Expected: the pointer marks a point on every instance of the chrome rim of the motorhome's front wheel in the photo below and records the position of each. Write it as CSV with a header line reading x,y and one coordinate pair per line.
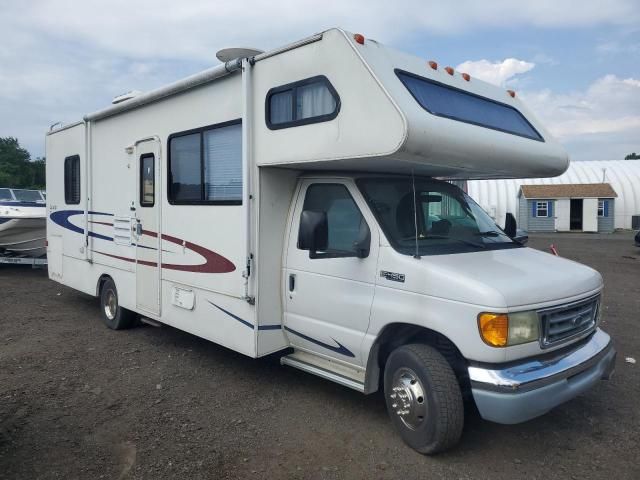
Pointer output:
x,y
408,399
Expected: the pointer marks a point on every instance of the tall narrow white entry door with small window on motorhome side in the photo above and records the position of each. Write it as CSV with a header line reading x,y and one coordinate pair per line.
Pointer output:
x,y
147,227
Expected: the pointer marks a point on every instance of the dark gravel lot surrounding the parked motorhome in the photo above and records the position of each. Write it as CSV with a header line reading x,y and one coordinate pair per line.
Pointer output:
x,y
81,401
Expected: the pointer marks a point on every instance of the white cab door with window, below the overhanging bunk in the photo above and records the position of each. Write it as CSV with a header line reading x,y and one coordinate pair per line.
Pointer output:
x,y
328,299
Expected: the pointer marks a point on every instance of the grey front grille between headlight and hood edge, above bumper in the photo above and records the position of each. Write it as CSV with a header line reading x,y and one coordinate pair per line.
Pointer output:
x,y
568,321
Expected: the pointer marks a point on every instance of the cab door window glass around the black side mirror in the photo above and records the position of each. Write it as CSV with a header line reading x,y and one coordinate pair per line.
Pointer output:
x,y
346,225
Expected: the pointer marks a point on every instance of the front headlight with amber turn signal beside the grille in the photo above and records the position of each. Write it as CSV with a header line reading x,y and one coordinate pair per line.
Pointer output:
x,y
503,330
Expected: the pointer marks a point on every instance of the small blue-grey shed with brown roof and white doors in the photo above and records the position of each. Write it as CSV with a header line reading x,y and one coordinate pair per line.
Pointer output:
x,y
586,207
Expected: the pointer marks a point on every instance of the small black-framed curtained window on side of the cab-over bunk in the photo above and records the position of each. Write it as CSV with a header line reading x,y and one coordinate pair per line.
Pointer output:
x,y
312,100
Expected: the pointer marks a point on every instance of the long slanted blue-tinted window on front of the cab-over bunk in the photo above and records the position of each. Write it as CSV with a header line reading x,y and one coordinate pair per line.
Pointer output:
x,y
450,102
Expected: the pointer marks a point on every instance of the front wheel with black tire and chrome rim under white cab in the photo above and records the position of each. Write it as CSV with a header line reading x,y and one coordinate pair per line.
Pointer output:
x,y
423,398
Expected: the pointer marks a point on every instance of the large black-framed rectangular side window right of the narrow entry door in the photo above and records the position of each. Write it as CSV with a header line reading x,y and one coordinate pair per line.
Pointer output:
x,y
205,166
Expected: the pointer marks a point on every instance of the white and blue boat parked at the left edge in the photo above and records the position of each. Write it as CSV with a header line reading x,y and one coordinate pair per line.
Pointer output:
x,y
22,222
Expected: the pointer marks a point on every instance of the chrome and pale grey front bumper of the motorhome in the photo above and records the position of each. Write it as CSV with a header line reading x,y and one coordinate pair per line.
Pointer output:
x,y
521,391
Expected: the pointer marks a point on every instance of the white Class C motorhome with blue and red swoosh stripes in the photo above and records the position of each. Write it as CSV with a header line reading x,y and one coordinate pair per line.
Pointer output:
x,y
287,202
